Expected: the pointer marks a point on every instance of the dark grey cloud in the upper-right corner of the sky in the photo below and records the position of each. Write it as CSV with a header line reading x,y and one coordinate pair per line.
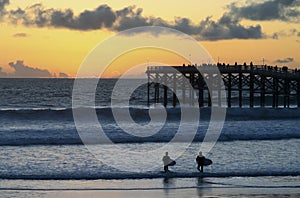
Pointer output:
x,y
283,10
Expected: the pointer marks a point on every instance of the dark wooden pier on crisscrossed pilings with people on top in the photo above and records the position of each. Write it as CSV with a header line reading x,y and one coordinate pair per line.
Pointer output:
x,y
244,85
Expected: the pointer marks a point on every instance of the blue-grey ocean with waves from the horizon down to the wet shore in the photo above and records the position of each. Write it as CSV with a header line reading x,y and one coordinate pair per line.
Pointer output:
x,y
43,155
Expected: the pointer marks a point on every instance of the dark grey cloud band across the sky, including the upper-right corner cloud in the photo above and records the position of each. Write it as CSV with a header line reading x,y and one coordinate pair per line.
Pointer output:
x,y
227,27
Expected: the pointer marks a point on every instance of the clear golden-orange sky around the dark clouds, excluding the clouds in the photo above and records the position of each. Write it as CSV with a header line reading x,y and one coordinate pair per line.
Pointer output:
x,y
62,49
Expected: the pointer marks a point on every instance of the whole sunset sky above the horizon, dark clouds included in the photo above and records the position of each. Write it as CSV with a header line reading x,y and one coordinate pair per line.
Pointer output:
x,y
52,37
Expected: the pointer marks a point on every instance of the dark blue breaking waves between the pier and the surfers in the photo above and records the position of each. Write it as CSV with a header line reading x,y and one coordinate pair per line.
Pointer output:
x,y
56,126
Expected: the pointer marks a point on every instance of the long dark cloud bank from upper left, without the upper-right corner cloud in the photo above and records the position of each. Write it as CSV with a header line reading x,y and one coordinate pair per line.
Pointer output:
x,y
104,16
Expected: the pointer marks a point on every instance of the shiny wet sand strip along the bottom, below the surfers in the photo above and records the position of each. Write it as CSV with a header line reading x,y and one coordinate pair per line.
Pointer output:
x,y
158,188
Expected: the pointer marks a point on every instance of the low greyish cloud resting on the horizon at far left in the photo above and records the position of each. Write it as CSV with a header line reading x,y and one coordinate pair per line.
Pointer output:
x,y
24,71
